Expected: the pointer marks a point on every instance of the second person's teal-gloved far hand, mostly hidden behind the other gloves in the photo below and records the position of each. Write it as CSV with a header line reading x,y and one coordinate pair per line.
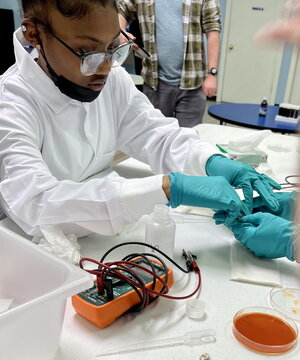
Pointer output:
x,y
286,200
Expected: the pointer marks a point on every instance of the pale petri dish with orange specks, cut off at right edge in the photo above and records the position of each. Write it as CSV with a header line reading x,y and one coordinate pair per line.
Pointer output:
x,y
286,300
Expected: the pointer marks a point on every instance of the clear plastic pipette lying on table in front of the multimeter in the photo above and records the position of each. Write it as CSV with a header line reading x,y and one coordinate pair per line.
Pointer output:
x,y
190,338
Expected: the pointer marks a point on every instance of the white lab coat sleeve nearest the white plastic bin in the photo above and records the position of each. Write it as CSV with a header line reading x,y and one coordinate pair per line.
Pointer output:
x,y
31,196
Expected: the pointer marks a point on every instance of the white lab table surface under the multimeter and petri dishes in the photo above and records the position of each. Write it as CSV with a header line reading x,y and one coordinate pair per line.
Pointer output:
x,y
164,318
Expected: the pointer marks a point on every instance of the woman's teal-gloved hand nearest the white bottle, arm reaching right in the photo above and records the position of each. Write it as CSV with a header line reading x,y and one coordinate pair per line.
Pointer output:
x,y
212,192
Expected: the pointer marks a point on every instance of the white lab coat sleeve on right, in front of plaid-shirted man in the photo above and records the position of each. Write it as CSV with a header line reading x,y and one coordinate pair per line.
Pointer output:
x,y
145,134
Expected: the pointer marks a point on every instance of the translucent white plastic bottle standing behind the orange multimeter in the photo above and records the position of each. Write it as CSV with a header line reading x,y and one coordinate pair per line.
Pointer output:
x,y
160,231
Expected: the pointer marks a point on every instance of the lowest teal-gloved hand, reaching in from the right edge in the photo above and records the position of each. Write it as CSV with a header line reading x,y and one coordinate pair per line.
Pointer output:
x,y
266,235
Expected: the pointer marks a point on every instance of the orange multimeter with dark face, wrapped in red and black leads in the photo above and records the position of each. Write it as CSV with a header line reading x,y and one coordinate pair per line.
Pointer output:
x,y
102,311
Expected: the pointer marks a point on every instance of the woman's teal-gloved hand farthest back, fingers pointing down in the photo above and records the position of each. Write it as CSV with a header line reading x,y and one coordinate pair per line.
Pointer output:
x,y
244,176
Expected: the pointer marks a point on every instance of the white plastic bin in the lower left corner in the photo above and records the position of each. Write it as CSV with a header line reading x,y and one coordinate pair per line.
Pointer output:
x,y
39,284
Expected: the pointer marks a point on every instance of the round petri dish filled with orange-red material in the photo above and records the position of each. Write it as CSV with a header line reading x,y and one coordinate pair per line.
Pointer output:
x,y
265,330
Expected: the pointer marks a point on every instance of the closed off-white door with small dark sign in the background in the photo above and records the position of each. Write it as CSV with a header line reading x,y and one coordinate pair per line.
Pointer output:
x,y
248,72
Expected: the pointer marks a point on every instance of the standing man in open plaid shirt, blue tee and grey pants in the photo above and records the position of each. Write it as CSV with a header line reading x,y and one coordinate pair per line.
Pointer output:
x,y
177,77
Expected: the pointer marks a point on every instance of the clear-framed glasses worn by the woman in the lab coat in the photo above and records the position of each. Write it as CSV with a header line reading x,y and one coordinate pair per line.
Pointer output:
x,y
92,60
